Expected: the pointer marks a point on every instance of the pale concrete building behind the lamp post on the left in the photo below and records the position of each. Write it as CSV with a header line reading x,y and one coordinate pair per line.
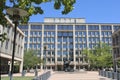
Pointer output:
x,y
6,48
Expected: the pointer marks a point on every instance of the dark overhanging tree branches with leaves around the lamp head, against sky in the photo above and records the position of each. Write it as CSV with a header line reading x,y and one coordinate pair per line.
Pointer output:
x,y
33,7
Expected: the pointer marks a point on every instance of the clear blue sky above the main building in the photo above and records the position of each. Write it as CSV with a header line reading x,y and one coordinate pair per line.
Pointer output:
x,y
94,11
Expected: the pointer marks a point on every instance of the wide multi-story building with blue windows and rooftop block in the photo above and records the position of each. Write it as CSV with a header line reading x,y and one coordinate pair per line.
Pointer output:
x,y
65,39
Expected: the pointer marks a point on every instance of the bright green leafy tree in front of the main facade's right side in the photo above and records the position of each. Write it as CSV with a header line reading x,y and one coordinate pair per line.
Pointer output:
x,y
100,56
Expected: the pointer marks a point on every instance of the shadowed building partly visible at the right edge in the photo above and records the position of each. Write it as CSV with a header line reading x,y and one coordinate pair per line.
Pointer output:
x,y
116,47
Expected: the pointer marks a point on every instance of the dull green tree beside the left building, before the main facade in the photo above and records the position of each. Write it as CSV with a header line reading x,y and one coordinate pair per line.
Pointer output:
x,y
31,59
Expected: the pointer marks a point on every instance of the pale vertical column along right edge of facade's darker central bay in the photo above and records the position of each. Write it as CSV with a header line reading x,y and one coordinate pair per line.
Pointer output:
x,y
74,51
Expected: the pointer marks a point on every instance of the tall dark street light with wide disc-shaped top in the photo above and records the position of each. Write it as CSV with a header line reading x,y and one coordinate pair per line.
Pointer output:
x,y
16,13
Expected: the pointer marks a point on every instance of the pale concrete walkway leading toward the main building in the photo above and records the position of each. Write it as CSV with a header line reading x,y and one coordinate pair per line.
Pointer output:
x,y
88,75
